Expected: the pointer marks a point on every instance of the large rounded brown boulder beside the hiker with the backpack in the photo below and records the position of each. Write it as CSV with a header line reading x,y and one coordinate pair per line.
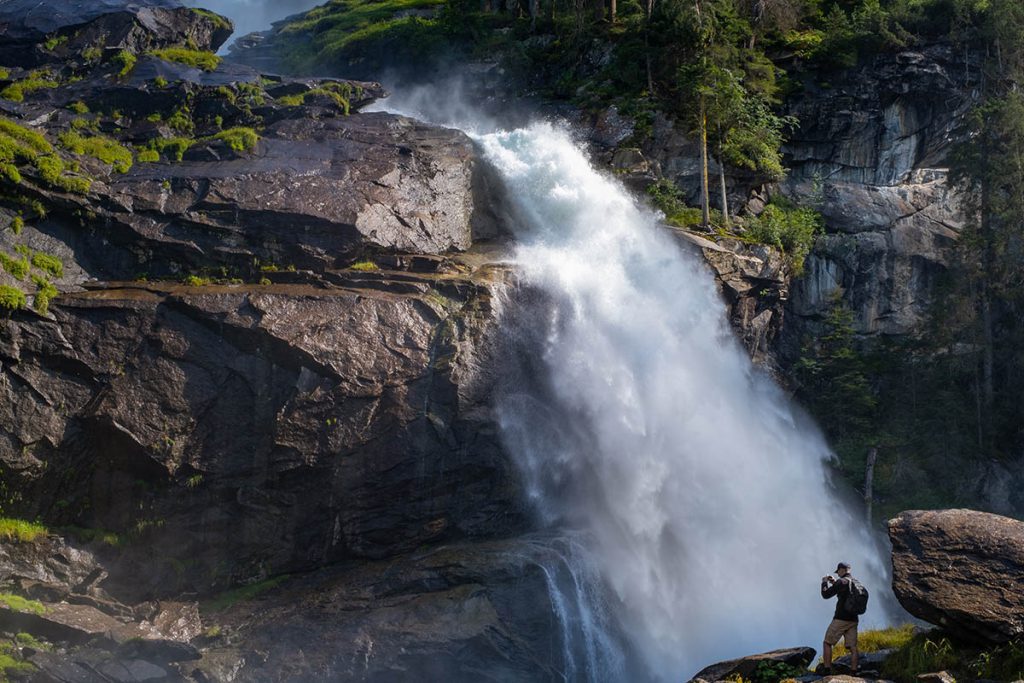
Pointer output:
x,y
961,571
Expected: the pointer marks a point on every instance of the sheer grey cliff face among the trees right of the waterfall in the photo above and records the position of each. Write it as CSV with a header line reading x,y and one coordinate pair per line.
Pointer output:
x,y
875,146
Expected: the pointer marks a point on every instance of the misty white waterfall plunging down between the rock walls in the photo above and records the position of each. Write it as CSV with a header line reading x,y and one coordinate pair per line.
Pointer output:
x,y
637,418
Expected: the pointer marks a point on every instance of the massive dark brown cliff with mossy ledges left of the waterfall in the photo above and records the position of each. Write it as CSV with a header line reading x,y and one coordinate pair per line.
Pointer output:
x,y
269,353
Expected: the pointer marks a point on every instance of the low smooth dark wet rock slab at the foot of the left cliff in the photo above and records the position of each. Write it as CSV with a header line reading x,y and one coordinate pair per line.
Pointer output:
x,y
453,613
